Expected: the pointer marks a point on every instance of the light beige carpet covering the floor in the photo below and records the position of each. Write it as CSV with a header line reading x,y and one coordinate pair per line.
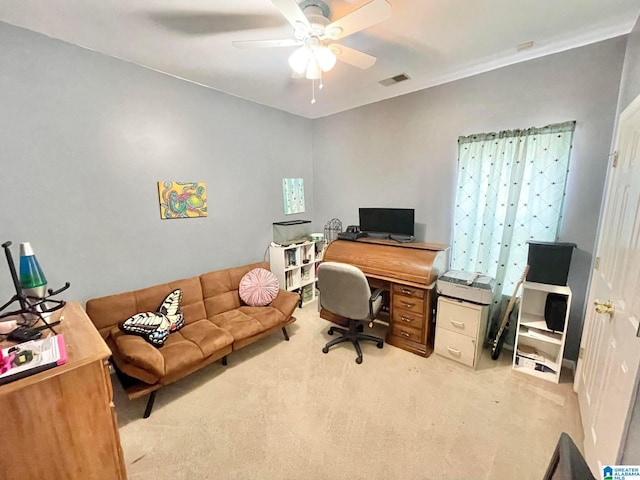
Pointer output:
x,y
285,410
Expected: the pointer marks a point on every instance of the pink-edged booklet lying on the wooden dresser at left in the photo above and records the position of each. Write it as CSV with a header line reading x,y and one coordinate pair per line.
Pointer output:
x,y
29,358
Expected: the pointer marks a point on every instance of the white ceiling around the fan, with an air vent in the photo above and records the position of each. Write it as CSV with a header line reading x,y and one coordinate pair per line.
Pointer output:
x,y
432,41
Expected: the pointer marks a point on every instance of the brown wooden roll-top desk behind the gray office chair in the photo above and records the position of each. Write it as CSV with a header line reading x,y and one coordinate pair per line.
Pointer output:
x,y
408,271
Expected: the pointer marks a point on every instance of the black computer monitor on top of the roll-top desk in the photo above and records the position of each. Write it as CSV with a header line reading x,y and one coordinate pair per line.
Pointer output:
x,y
388,222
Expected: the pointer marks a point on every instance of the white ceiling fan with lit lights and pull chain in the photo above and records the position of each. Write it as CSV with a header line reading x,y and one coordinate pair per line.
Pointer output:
x,y
314,34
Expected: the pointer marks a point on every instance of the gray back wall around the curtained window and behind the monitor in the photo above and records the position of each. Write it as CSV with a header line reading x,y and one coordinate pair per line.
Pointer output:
x,y
402,152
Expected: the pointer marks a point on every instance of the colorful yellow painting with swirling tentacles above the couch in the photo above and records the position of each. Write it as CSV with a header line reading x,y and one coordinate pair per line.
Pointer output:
x,y
182,199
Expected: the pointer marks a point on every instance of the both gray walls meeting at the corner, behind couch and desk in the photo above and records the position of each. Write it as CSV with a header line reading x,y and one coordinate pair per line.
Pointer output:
x,y
86,137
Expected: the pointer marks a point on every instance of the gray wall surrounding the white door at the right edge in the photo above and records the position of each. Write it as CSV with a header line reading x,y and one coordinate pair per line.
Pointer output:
x,y
629,90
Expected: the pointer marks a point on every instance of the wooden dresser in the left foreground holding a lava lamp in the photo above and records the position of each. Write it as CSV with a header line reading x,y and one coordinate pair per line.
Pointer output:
x,y
60,423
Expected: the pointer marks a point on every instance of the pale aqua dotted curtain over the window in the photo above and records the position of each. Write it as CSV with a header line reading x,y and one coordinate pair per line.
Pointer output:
x,y
511,188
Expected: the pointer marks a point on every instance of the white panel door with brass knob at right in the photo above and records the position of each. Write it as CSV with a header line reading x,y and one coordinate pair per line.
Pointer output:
x,y
607,373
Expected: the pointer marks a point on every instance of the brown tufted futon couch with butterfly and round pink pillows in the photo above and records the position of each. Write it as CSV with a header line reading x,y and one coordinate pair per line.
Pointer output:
x,y
216,322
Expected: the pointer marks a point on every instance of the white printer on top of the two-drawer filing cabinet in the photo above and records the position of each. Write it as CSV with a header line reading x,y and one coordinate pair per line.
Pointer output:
x,y
471,286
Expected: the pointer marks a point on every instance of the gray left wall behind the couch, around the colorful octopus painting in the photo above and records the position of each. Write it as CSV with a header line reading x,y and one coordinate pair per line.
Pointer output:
x,y
85,138
